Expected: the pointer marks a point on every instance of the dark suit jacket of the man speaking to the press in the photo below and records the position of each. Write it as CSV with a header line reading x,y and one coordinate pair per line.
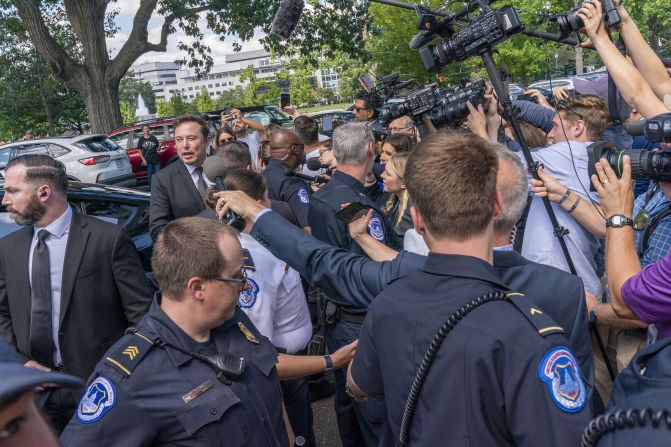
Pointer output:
x,y
173,195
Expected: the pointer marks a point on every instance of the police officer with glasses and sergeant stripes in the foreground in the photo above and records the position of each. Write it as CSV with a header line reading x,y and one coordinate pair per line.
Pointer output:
x,y
159,385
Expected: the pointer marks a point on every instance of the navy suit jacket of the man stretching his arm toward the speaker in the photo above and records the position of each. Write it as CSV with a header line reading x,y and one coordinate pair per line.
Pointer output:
x,y
359,279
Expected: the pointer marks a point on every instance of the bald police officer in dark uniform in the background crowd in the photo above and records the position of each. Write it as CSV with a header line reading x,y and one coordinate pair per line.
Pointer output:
x,y
286,152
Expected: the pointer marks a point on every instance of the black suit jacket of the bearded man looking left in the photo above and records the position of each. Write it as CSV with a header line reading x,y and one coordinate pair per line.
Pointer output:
x,y
104,290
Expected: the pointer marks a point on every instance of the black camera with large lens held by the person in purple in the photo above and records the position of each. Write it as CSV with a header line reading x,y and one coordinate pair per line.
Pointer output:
x,y
645,164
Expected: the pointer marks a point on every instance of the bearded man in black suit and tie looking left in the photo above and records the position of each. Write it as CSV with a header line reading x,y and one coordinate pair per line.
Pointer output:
x,y
69,284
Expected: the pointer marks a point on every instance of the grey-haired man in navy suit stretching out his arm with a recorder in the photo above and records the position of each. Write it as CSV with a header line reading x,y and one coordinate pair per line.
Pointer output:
x,y
556,292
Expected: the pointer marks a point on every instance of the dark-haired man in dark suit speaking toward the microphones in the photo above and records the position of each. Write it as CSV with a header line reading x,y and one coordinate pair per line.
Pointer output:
x,y
180,189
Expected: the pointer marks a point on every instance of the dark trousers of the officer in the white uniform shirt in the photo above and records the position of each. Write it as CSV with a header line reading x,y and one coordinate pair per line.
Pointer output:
x,y
296,394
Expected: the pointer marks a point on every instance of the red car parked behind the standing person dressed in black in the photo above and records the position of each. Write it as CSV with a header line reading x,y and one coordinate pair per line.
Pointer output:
x,y
128,136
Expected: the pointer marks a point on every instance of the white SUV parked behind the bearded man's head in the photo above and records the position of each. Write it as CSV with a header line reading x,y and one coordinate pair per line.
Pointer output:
x,y
87,158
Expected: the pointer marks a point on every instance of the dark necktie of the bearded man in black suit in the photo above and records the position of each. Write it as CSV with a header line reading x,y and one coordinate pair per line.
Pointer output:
x,y
41,344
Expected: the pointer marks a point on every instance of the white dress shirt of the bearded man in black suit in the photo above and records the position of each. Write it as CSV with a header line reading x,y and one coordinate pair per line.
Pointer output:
x,y
57,241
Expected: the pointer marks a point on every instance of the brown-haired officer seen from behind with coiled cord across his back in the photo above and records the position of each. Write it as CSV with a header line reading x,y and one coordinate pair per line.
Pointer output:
x,y
502,375
